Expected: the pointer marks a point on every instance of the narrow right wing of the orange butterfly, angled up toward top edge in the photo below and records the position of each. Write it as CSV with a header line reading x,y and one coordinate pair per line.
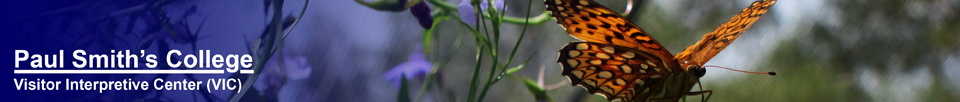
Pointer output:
x,y
713,42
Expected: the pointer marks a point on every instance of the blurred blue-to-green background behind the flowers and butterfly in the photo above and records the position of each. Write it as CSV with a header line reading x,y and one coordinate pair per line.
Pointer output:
x,y
343,51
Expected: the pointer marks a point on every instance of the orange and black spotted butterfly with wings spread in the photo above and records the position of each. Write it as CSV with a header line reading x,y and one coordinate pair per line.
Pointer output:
x,y
622,62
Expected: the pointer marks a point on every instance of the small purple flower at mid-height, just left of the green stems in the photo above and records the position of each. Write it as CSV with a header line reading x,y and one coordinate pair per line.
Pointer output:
x,y
415,65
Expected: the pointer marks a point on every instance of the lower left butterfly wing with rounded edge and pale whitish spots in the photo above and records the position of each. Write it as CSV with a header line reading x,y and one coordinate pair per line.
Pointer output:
x,y
614,71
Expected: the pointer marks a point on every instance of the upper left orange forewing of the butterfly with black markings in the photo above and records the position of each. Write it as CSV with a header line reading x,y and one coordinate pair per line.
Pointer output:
x,y
592,22
